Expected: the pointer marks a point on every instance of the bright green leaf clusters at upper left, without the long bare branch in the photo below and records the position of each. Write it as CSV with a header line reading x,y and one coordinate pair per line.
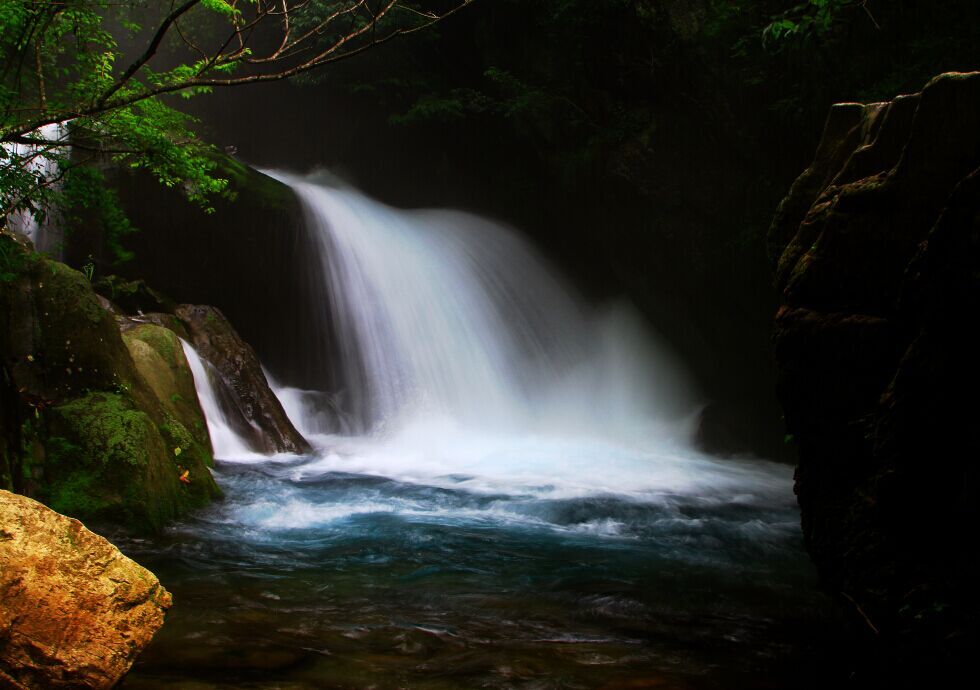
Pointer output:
x,y
59,66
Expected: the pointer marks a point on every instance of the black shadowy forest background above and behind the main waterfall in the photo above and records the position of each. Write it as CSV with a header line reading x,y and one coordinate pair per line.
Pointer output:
x,y
642,144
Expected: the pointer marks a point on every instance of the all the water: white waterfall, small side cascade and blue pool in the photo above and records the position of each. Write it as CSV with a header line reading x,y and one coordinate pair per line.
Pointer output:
x,y
503,493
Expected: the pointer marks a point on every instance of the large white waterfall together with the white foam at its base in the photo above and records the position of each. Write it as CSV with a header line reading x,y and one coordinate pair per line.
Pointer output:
x,y
470,365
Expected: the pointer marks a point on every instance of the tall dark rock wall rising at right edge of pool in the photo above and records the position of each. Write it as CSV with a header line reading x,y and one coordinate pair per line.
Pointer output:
x,y
877,253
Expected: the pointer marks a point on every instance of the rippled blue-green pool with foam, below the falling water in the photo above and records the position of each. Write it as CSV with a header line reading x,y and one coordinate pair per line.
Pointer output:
x,y
312,576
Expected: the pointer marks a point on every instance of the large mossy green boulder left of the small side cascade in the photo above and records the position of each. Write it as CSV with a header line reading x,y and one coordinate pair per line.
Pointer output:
x,y
95,425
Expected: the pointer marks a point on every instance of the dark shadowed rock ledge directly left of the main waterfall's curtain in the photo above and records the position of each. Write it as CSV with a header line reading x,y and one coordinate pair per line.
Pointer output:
x,y
234,258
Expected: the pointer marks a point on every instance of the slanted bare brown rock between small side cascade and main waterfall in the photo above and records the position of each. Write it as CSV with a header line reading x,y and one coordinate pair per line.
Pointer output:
x,y
245,393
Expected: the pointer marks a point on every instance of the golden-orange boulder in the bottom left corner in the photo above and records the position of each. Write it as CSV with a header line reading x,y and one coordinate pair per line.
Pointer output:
x,y
74,612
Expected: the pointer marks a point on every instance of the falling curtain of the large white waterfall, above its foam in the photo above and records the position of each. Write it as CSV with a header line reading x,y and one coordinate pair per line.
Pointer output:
x,y
443,314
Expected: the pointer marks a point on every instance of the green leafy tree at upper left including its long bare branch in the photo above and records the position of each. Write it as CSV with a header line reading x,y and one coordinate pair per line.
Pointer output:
x,y
68,107
